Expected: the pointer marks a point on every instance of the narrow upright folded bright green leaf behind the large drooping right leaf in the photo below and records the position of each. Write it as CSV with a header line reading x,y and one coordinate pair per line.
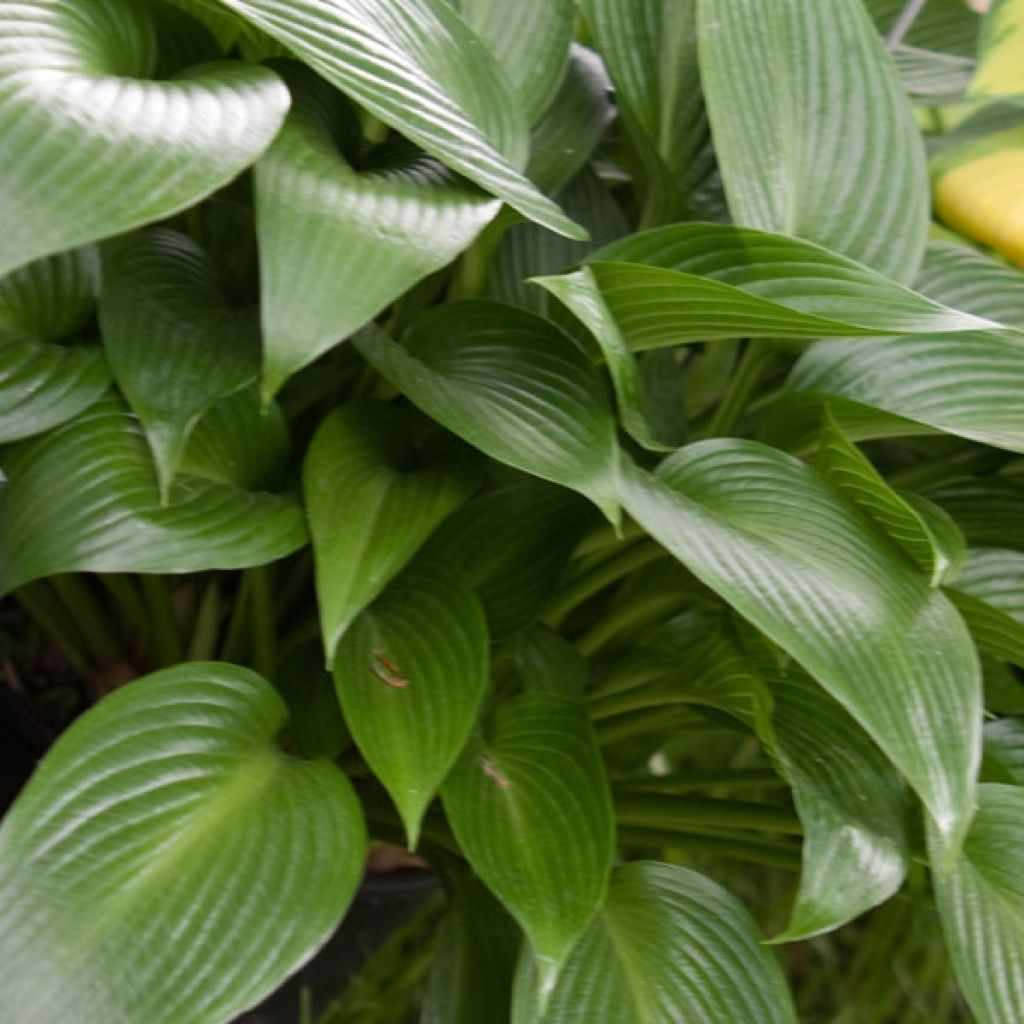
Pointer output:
x,y
843,463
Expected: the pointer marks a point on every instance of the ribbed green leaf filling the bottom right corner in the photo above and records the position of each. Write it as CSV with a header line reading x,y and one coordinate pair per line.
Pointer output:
x,y
982,903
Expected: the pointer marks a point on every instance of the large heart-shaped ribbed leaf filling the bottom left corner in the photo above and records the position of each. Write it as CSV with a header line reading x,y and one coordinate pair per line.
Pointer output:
x,y
198,866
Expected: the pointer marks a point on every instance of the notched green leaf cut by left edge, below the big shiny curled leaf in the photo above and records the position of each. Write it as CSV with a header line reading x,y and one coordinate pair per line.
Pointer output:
x,y
44,385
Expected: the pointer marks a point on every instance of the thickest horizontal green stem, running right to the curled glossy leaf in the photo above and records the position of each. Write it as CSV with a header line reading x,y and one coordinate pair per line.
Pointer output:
x,y
656,810
